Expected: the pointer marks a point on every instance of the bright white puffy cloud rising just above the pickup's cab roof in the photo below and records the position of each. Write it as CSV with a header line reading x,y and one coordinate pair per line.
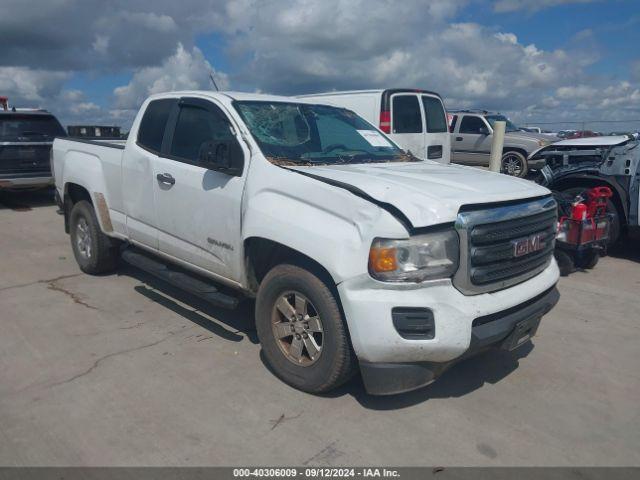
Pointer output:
x,y
184,70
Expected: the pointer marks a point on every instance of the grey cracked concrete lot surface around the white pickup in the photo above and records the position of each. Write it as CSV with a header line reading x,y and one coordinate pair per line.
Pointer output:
x,y
123,370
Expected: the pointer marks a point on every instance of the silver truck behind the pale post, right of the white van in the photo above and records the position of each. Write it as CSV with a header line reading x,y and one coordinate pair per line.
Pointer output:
x,y
472,133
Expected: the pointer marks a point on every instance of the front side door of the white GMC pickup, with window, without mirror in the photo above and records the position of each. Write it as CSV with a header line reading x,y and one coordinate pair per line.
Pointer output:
x,y
198,210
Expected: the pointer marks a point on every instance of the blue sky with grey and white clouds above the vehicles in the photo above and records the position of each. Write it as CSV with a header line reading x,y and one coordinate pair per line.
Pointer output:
x,y
94,62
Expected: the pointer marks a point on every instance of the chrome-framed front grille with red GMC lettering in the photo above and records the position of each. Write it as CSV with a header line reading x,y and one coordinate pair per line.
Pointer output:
x,y
505,245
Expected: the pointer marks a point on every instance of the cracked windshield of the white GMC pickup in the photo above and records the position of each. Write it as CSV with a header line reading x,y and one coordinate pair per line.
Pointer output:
x,y
301,134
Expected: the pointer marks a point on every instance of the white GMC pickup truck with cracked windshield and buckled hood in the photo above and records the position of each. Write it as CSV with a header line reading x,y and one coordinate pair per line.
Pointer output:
x,y
360,256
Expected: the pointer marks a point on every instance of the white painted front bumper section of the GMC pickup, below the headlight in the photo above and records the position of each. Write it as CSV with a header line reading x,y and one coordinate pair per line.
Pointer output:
x,y
368,306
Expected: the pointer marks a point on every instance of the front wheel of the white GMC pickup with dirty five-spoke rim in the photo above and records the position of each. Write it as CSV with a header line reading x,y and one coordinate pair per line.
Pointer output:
x,y
301,330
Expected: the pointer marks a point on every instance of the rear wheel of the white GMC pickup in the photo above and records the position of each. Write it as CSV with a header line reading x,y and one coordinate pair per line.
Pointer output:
x,y
94,251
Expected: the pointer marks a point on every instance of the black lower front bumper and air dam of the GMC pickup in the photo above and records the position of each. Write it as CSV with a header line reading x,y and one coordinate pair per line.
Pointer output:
x,y
508,330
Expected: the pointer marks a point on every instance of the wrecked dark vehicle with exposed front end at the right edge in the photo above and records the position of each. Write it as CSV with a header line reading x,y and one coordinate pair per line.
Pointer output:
x,y
573,166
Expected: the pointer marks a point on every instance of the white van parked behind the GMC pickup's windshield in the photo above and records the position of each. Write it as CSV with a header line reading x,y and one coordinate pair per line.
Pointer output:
x,y
415,119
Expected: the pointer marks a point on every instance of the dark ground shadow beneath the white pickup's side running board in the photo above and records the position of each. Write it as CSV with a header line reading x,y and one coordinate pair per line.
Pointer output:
x,y
231,325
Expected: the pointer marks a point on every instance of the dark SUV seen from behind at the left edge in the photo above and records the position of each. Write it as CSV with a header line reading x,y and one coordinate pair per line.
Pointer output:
x,y
26,137
